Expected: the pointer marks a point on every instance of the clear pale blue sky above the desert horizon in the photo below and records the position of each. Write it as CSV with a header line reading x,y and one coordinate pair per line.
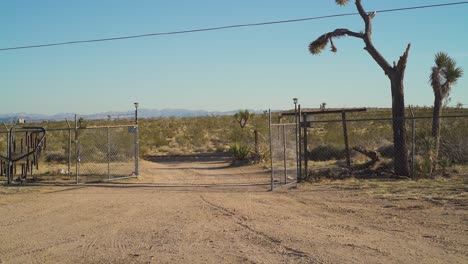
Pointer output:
x,y
255,68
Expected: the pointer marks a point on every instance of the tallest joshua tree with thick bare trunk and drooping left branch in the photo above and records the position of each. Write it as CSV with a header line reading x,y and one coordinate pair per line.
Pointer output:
x,y
395,74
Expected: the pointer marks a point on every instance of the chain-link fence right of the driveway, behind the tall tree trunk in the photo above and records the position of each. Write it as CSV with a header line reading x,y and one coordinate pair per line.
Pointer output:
x,y
370,151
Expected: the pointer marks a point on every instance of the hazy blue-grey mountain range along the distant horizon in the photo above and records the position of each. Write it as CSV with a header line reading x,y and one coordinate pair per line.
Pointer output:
x,y
142,113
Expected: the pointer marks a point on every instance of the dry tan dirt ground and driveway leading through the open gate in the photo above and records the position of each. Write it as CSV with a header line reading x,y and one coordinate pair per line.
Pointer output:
x,y
161,218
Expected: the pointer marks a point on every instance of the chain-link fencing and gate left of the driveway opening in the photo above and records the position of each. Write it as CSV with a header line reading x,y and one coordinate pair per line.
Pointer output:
x,y
80,155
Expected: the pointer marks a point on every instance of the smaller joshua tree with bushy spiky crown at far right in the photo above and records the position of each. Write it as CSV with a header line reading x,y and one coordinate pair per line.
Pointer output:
x,y
444,74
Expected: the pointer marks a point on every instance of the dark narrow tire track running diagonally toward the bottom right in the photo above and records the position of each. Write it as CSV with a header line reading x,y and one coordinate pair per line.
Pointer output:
x,y
286,250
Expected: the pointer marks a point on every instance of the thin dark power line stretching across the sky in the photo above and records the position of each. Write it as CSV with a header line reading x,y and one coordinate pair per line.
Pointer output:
x,y
226,27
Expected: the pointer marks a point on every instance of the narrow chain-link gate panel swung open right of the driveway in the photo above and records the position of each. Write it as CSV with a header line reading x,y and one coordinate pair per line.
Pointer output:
x,y
284,154
